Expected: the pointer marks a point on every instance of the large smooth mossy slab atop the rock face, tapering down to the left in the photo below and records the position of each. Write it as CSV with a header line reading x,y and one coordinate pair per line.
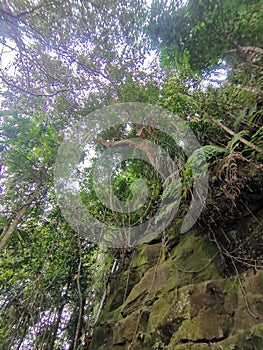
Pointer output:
x,y
194,259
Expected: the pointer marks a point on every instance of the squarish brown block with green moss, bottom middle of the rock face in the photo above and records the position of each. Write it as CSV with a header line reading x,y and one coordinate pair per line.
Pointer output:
x,y
202,314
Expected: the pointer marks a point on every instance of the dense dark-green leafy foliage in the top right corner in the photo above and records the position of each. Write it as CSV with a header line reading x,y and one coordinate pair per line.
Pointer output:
x,y
208,31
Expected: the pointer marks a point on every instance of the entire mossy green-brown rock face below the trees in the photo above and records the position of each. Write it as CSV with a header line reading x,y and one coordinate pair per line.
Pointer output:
x,y
173,295
